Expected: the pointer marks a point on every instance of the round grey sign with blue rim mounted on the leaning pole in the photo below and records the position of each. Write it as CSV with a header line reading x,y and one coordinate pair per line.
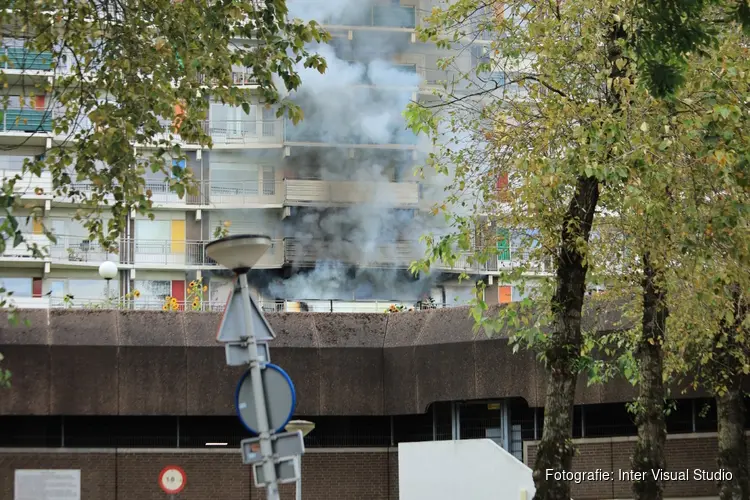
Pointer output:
x,y
281,399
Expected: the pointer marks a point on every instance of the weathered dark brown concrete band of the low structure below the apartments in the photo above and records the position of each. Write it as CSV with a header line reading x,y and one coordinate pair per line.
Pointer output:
x,y
79,362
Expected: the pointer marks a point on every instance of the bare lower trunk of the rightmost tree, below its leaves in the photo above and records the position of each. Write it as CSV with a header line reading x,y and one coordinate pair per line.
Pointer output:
x,y
732,448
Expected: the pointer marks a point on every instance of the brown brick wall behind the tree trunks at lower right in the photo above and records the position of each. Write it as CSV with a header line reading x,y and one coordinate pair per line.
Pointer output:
x,y
683,451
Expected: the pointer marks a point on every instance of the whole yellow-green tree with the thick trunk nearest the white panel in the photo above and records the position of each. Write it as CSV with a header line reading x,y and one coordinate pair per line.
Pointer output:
x,y
551,109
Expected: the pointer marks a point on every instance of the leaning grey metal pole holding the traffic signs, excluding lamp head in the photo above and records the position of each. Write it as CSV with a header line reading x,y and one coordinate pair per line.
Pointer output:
x,y
269,468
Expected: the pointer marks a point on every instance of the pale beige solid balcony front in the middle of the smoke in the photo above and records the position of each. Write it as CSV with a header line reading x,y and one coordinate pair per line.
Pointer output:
x,y
318,192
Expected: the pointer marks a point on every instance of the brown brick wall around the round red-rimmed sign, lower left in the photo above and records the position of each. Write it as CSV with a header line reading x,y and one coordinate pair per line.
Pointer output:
x,y
211,475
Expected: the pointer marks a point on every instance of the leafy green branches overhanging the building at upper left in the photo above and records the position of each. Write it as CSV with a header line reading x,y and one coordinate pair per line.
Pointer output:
x,y
141,74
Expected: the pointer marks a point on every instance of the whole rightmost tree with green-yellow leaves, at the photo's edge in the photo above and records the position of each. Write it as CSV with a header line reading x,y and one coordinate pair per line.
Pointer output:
x,y
712,310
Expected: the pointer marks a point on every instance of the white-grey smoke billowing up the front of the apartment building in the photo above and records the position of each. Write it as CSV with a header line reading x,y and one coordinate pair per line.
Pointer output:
x,y
360,99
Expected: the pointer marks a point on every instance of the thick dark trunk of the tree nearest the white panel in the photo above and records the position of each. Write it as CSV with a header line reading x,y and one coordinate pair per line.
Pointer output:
x,y
555,451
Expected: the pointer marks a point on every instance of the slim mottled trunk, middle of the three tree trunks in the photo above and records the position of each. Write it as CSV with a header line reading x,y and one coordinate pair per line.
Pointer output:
x,y
652,428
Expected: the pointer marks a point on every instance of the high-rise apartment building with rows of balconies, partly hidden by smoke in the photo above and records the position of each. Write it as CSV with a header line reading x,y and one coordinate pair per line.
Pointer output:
x,y
336,193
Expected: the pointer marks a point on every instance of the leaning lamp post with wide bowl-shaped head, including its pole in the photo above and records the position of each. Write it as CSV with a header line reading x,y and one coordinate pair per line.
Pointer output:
x,y
240,253
